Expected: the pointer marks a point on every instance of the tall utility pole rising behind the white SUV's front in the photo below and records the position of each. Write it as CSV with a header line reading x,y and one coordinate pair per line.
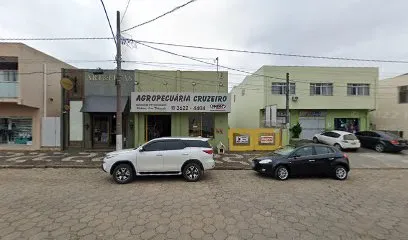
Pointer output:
x,y
119,144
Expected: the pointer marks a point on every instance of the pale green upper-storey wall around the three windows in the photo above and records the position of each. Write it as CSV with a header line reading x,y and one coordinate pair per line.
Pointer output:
x,y
339,76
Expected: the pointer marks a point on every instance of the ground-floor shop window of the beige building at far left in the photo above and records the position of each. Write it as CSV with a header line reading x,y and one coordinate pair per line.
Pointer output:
x,y
16,130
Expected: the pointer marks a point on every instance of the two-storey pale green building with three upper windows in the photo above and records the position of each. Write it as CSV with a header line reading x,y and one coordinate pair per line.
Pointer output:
x,y
321,98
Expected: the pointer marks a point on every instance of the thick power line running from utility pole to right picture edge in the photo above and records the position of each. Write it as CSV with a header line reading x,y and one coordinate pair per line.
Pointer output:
x,y
272,53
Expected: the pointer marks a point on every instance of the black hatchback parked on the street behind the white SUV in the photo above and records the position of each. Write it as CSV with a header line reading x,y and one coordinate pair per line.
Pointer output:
x,y
310,159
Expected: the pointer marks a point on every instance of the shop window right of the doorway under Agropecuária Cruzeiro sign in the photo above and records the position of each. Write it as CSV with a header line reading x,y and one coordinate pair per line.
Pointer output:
x,y
201,125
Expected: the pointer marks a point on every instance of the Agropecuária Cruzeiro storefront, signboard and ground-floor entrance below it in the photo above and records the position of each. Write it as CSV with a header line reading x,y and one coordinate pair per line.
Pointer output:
x,y
162,114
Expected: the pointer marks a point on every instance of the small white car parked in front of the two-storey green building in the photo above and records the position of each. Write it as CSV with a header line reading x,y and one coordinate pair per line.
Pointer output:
x,y
339,139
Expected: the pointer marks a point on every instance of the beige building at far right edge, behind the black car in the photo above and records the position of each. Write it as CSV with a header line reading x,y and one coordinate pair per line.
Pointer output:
x,y
392,106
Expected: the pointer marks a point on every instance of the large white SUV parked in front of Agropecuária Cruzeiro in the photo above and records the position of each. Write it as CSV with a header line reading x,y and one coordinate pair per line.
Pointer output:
x,y
162,156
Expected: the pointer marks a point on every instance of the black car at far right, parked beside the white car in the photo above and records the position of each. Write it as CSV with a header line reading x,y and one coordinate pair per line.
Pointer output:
x,y
382,141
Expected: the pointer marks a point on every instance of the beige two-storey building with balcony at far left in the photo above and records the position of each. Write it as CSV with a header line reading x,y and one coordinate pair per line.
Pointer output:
x,y
29,98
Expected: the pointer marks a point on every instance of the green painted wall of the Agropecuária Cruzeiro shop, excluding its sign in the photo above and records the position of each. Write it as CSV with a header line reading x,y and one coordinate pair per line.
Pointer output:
x,y
181,81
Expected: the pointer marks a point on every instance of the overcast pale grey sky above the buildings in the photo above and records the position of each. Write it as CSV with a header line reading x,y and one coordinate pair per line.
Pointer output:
x,y
372,29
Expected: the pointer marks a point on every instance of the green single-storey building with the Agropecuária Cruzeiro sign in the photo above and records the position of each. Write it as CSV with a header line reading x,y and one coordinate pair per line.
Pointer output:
x,y
180,103
